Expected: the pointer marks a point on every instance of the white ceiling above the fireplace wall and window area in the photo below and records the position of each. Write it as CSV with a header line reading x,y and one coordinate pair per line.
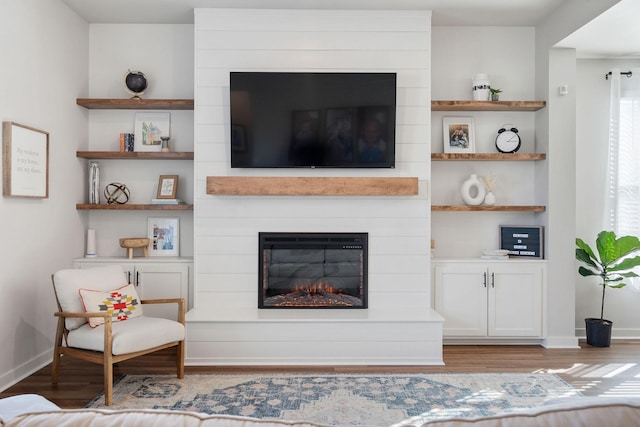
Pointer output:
x,y
606,36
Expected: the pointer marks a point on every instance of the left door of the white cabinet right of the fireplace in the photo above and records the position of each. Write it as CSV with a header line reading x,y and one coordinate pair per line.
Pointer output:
x,y
461,298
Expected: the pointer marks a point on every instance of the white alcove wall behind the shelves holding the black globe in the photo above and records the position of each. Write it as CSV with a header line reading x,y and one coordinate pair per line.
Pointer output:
x,y
164,53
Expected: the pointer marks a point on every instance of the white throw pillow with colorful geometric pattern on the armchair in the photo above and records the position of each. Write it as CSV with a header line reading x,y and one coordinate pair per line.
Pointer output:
x,y
122,303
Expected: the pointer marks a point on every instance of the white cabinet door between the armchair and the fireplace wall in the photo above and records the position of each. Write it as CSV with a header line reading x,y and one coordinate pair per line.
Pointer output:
x,y
157,281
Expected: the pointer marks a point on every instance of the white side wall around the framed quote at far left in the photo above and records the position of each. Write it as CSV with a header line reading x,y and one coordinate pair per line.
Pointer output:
x,y
44,51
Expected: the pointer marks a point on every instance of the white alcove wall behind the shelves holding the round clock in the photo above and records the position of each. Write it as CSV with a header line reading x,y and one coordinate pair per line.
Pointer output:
x,y
457,54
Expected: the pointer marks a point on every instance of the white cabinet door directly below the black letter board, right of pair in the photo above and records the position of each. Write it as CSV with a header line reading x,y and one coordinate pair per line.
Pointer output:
x,y
515,300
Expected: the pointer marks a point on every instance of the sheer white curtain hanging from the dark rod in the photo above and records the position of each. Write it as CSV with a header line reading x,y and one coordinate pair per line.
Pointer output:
x,y
623,175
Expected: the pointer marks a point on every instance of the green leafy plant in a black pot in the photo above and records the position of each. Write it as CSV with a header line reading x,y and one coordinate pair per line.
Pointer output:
x,y
614,263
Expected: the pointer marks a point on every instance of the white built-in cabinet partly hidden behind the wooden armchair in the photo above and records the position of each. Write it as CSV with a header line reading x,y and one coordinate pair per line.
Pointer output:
x,y
153,278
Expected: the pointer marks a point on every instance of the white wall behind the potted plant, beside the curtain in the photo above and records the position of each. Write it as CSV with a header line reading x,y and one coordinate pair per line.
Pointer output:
x,y
592,135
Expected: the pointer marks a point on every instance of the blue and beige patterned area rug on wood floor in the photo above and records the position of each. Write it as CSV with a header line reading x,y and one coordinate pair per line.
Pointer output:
x,y
355,400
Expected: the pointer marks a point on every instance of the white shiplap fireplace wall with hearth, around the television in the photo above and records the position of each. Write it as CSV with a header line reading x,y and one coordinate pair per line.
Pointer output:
x,y
225,327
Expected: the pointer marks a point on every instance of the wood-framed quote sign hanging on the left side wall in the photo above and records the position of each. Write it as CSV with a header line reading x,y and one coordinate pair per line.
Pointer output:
x,y
25,161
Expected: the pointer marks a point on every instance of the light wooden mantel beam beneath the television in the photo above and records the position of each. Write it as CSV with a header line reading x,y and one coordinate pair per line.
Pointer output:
x,y
311,186
